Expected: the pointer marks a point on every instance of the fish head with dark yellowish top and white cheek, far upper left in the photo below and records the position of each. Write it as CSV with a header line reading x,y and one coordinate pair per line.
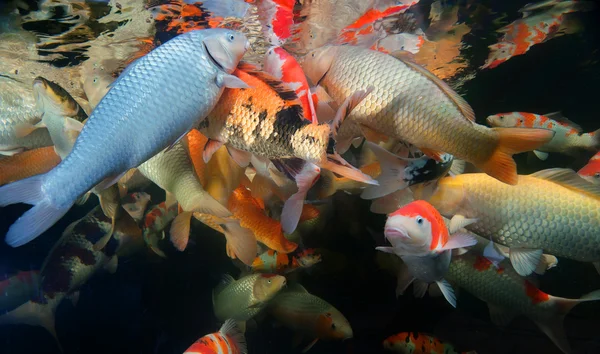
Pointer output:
x,y
52,98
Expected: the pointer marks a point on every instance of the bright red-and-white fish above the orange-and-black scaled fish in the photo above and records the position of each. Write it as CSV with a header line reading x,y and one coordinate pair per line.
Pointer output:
x,y
283,66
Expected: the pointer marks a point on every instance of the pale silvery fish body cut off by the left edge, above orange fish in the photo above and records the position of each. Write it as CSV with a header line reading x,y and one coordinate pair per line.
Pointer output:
x,y
17,108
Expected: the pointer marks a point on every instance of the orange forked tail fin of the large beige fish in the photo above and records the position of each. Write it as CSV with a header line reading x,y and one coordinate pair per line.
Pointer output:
x,y
500,164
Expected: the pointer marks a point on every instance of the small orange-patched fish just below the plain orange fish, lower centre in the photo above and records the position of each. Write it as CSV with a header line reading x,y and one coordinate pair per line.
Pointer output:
x,y
281,263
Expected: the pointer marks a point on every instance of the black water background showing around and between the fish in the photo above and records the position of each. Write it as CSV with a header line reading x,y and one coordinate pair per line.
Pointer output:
x,y
161,306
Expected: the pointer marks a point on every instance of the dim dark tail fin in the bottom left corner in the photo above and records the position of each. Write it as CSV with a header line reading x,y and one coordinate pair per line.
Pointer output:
x,y
33,314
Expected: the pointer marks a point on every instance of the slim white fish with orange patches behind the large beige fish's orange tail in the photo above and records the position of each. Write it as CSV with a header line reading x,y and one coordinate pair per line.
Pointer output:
x,y
568,137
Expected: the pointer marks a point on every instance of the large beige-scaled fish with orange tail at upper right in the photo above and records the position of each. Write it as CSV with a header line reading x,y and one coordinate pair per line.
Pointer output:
x,y
411,104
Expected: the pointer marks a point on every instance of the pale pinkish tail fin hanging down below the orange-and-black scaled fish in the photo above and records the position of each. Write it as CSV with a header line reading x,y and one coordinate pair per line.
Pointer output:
x,y
292,209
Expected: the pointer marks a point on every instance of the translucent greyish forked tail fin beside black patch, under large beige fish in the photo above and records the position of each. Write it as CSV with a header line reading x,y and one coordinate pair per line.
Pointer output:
x,y
391,178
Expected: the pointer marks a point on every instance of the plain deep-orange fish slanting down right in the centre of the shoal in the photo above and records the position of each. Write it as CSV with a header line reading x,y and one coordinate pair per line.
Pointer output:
x,y
251,216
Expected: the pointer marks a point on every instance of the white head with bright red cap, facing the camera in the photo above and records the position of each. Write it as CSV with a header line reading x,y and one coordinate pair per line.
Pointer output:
x,y
416,228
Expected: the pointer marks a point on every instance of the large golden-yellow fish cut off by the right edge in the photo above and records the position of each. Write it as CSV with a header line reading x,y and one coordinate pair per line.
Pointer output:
x,y
553,211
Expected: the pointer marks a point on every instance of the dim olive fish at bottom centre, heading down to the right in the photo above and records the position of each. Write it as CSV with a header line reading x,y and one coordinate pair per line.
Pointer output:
x,y
309,316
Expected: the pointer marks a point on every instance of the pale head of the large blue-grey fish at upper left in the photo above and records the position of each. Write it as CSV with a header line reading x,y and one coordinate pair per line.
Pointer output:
x,y
225,47
